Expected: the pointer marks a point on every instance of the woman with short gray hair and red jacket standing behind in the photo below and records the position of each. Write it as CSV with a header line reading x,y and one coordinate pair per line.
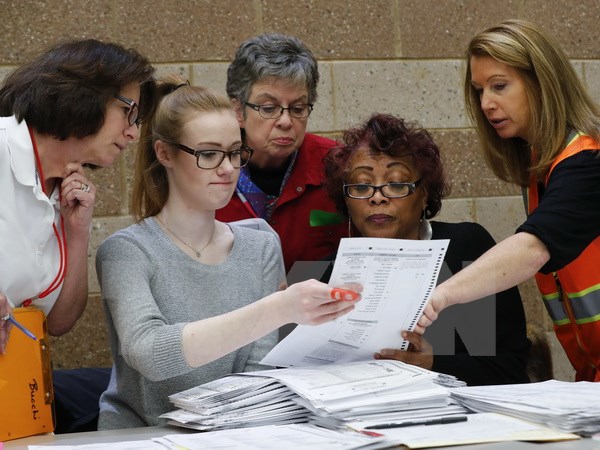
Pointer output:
x,y
273,84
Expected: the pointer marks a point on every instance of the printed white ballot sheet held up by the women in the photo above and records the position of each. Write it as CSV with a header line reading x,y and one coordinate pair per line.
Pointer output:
x,y
398,277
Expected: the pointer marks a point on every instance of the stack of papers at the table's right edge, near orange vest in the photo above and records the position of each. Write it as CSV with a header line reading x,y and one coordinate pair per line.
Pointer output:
x,y
565,406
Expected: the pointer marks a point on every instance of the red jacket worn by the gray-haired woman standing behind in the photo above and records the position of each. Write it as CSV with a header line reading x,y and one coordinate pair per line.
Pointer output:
x,y
302,193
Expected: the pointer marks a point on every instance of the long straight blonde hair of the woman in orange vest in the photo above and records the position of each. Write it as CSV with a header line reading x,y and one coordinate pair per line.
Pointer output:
x,y
558,101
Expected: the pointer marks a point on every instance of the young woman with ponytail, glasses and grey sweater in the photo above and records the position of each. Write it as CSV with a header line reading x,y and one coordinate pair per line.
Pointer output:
x,y
190,299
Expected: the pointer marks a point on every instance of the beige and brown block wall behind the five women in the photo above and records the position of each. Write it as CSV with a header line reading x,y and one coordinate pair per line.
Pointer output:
x,y
398,56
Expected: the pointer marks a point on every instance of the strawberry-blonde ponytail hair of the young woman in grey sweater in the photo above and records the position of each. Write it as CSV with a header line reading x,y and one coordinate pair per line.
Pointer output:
x,y
177,99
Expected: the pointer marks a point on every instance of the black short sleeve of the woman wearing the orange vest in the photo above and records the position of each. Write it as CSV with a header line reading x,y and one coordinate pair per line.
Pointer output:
x,y
568,215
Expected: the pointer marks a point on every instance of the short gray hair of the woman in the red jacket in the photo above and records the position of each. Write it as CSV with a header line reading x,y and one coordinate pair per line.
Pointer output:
x,y
272,55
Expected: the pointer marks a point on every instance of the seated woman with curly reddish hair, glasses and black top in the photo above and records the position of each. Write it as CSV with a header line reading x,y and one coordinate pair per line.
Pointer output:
x,y
388,179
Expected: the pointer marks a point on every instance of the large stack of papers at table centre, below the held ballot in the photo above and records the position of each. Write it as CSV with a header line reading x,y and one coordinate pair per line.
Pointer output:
x,y
374,391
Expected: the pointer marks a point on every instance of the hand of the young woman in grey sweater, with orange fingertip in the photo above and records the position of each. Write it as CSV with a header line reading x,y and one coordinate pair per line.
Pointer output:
x,y
312,302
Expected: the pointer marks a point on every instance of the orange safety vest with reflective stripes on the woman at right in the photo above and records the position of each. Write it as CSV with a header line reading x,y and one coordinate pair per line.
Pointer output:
x,y
572,294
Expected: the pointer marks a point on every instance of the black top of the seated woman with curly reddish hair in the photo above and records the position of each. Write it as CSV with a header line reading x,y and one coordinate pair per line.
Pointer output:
x,y
493,326
